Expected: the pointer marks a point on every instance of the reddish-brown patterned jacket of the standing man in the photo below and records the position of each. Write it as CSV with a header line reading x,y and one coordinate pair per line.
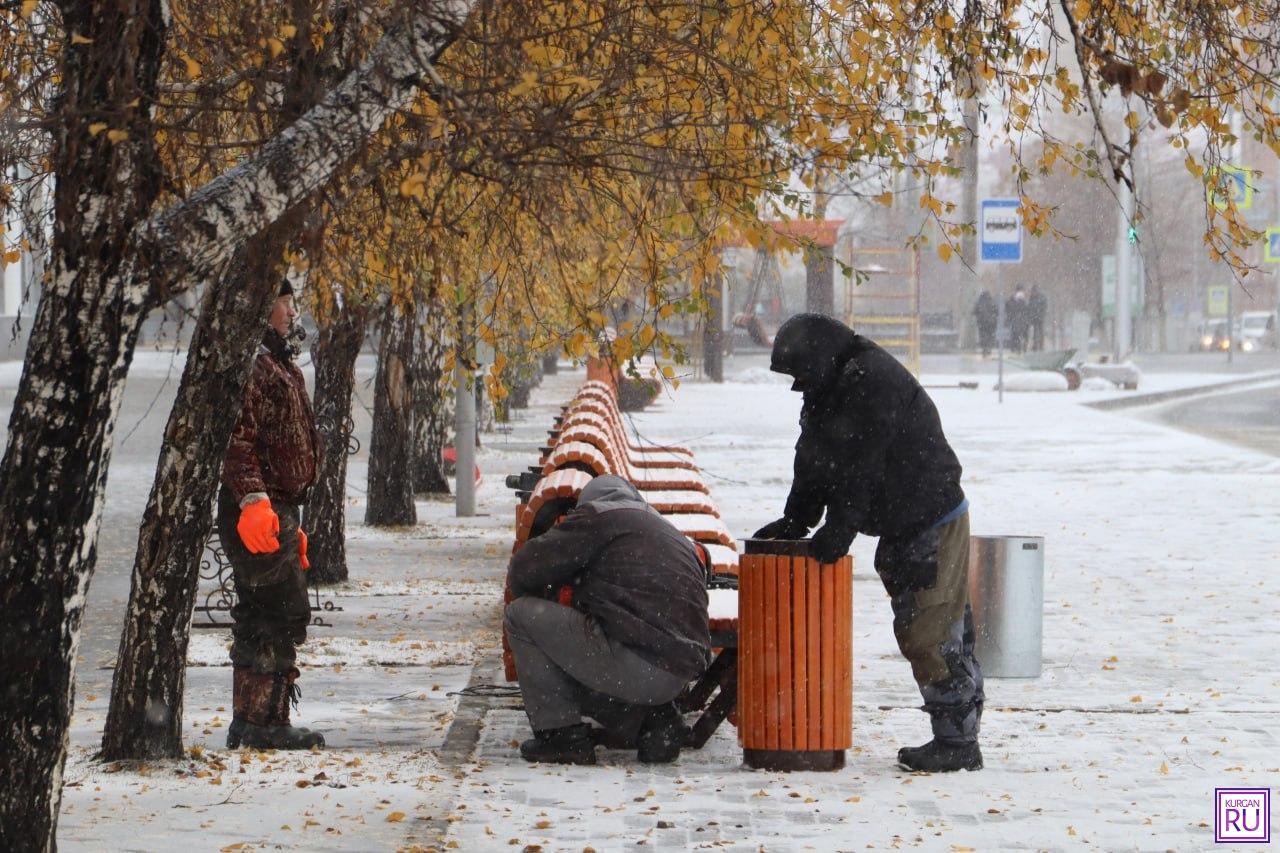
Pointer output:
x,y
276,446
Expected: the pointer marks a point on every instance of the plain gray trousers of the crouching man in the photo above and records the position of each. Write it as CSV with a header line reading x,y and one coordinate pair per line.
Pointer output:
x,y
563,659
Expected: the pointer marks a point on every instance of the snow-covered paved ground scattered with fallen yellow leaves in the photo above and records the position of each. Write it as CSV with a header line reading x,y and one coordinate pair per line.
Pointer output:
x,y
1162,667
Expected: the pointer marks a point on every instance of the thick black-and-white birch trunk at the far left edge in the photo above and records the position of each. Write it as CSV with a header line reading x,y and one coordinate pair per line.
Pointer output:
x,y
54,471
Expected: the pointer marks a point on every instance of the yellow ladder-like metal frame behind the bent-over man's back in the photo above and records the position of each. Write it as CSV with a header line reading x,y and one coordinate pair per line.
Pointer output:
x,y
883,300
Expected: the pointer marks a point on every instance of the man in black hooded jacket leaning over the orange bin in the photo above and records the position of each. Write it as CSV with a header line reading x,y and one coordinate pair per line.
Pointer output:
x,y
874,458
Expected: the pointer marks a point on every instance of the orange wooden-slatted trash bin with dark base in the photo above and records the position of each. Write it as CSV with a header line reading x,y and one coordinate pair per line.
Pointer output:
x,y
796,658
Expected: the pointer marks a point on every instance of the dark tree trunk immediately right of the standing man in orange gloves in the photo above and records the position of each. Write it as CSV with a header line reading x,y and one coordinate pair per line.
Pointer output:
x,y
326,519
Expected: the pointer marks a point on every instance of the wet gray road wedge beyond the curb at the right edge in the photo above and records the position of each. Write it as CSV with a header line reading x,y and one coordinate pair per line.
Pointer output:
x,y
1247,418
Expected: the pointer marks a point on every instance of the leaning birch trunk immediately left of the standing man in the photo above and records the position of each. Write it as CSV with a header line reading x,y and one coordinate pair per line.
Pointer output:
x,y
145,717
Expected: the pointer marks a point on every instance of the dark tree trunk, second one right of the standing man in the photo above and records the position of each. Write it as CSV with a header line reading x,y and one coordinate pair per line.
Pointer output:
x,y
391,448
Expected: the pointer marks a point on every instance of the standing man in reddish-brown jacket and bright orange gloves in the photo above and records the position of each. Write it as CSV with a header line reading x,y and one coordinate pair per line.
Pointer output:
x,y
269,467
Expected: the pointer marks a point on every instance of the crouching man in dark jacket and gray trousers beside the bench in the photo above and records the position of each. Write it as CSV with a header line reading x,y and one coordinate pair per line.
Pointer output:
x,y
636,635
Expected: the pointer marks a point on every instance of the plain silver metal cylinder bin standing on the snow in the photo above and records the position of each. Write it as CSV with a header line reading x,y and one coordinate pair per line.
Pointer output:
x,y
1007,591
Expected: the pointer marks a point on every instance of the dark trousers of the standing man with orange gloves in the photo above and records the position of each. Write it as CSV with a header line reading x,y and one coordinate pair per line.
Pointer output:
x,y
272,609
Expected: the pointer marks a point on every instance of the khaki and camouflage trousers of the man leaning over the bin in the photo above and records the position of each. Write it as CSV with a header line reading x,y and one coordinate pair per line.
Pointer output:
x,y
927,578
